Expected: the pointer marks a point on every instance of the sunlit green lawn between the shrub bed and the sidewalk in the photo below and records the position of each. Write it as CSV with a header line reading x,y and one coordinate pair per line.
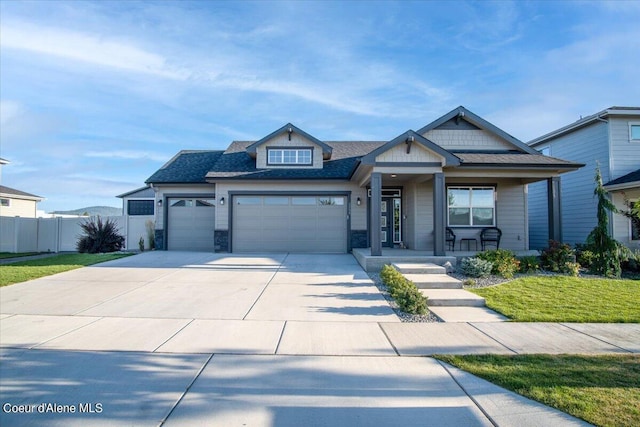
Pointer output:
x,y
566,299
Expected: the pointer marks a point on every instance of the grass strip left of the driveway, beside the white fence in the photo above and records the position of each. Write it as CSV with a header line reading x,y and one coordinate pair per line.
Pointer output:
x,y
27,270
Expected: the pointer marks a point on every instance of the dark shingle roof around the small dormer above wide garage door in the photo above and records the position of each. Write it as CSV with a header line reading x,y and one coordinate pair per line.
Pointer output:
x,y
236,163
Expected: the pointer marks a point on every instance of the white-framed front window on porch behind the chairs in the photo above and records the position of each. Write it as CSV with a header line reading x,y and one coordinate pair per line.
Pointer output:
x,y
471,206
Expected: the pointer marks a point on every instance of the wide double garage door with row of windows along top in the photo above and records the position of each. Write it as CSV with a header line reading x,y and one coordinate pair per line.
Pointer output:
x,y
289,224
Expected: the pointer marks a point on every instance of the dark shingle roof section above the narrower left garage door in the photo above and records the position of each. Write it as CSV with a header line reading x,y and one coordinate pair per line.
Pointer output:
x,y
187,166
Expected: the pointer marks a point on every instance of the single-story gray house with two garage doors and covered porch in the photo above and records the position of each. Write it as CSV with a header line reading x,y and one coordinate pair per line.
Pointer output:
x,y
291,192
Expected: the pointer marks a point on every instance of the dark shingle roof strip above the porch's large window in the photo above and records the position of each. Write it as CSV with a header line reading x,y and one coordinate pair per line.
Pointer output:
x,y
513,159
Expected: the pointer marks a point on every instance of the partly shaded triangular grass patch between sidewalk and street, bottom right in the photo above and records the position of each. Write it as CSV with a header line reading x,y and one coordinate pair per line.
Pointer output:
x,y
602,390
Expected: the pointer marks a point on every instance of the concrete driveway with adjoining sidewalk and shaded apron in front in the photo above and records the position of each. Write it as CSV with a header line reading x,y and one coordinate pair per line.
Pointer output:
x,y
169,338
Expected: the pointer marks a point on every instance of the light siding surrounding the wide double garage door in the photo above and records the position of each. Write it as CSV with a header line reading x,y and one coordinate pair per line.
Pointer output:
x,y
358,213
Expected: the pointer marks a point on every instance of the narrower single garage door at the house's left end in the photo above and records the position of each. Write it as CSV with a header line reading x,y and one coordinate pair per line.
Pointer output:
x,y
191,224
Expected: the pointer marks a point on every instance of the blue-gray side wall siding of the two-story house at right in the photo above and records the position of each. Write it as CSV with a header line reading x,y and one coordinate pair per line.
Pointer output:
x,y
587,145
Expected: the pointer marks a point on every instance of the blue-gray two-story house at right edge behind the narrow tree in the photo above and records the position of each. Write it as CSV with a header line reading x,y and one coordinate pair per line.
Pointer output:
x,y
610,138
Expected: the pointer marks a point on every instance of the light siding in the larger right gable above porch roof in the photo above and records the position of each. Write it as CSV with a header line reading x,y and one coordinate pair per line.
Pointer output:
x,y
476,139
